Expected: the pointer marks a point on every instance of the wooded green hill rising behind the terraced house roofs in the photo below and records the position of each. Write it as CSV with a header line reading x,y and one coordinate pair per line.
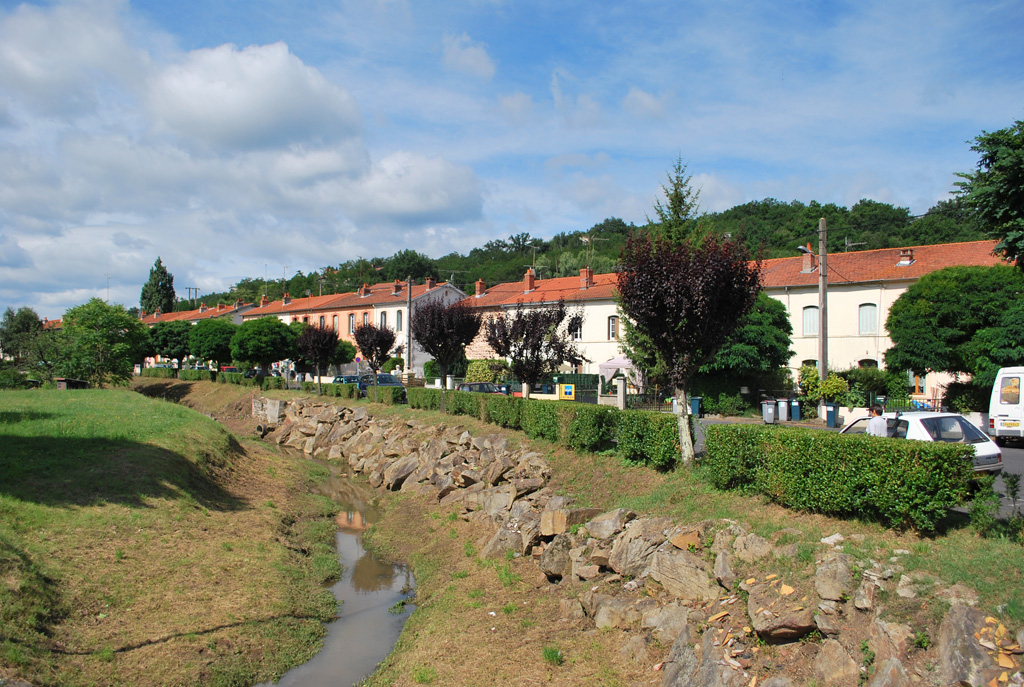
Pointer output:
x,y
772,229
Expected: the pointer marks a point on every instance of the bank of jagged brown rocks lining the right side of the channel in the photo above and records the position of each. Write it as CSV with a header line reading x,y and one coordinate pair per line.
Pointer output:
x,y
670,586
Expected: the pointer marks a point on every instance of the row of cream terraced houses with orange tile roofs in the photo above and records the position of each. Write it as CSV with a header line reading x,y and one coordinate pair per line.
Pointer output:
x,y
863,286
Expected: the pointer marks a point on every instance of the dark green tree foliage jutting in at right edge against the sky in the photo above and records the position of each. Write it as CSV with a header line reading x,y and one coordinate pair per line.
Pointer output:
x,y
994,191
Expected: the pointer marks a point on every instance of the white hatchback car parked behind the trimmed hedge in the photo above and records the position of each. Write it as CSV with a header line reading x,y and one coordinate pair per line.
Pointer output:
x,y
949,427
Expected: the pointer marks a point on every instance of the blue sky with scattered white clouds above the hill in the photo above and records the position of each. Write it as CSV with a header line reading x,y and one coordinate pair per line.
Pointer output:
x,y
236,139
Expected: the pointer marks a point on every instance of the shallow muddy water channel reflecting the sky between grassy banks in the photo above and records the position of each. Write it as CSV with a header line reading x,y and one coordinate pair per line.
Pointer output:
x,y
366,630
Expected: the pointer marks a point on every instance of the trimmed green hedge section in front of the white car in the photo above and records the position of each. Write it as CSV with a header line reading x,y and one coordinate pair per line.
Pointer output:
x,y
901,483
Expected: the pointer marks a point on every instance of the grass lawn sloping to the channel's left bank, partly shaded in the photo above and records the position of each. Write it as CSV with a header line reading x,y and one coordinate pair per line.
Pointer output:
x,y
142,544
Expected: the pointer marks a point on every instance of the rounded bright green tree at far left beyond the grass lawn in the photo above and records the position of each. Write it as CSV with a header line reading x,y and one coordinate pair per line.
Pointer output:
x,y
101,343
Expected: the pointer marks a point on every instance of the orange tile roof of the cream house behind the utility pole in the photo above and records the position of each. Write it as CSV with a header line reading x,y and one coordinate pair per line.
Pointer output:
x,y
879,266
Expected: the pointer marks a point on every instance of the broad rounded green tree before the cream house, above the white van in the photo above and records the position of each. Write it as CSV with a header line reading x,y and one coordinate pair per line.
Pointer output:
x,y
932,325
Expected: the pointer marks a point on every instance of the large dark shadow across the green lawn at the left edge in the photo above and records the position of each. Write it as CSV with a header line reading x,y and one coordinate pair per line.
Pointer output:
x,y
64,473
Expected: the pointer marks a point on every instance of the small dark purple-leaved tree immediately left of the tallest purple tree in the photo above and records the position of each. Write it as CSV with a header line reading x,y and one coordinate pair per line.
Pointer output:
x,y
536,340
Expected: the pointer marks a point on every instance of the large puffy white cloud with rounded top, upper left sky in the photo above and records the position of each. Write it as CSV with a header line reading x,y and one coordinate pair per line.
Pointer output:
x,y
258,98
